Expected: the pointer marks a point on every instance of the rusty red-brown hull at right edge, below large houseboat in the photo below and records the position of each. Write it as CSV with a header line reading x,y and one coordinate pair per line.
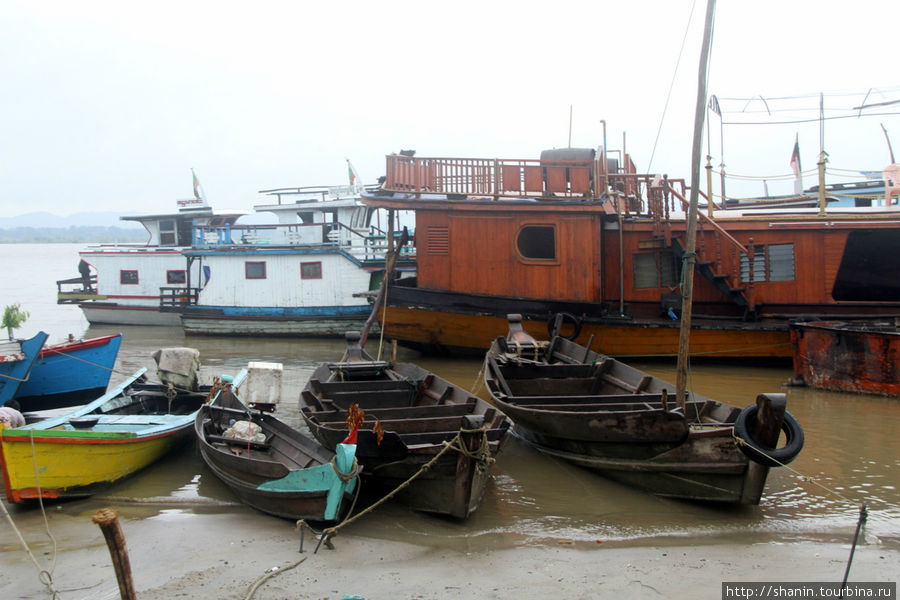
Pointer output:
x,y
848,356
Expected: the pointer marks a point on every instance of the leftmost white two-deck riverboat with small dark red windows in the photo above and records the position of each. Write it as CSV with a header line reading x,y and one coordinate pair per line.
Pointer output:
x,y
121,283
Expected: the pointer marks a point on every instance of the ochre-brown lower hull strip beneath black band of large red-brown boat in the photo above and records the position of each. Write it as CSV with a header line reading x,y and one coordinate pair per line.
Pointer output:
x,y
449,332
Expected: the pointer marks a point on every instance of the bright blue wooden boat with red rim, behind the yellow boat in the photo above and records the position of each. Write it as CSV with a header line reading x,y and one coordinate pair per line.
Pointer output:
x,y
70,373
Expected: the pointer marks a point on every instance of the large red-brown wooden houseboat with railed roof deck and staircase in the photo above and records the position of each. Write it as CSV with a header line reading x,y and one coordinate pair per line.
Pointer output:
x,y
590,238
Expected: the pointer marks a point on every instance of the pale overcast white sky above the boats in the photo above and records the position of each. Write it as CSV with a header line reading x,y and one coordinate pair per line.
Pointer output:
x,y
108,105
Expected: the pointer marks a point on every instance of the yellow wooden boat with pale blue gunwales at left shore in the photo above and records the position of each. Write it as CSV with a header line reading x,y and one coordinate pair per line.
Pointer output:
x,y
116,435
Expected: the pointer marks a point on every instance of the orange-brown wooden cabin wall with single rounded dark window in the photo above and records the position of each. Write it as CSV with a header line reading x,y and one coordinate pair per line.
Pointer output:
x,y
530,255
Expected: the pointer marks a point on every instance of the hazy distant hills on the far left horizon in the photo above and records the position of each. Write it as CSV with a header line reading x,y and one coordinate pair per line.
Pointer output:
x,y
84,227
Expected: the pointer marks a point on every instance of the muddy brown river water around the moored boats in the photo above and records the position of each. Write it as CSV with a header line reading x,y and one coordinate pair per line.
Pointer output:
x,y
852,451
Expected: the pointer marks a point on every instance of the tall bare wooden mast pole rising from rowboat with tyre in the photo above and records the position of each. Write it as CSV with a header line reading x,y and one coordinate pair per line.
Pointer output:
x,y
691,242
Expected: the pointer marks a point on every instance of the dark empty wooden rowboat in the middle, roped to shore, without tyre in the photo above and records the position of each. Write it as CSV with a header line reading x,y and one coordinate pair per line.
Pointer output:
x,y
417,413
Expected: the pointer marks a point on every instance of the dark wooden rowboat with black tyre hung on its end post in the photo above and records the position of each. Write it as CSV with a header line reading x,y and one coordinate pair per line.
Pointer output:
x,y
594,411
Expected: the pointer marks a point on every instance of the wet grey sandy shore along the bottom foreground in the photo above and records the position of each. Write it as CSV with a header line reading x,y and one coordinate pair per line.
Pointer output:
x,y
222,554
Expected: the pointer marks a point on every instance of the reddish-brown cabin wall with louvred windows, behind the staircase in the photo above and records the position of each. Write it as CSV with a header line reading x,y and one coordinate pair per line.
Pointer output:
x,y
793,267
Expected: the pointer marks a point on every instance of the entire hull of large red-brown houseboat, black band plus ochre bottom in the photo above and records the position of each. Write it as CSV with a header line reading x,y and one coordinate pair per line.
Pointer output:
x,y
447,323
